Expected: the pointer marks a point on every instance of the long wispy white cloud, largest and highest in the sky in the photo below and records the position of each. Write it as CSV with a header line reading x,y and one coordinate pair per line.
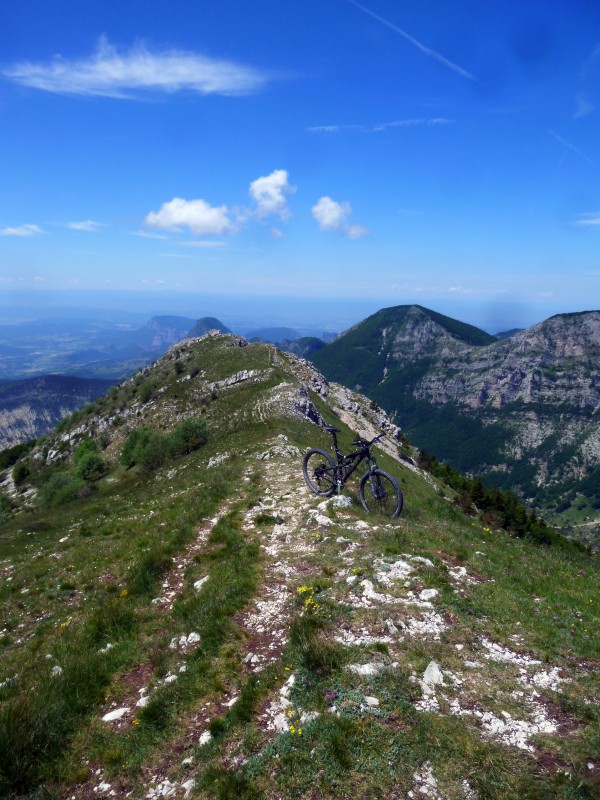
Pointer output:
x,y
130,74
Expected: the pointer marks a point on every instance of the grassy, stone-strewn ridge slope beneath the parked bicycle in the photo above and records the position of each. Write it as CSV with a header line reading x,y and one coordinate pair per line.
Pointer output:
x,y
83,576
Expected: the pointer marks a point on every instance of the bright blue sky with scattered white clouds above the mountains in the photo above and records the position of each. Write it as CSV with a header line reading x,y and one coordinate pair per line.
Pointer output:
x,y
440,153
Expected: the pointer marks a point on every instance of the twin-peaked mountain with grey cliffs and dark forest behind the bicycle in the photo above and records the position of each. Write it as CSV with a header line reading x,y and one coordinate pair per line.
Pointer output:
x,y
522,411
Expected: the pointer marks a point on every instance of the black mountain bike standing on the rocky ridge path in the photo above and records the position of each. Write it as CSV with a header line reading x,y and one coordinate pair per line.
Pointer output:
x,y
377,490
